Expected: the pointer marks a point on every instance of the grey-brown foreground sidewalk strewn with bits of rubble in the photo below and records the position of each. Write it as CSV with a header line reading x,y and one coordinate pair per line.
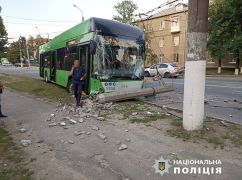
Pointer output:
x,y
61,153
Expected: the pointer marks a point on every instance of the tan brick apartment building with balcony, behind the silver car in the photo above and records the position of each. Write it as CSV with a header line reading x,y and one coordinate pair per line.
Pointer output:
x,y
167,31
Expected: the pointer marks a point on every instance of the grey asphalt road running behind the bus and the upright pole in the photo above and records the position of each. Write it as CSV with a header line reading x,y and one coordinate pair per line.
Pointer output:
x,y
223,95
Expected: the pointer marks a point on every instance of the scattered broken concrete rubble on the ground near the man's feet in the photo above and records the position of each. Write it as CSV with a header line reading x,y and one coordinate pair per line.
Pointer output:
x,y
66,116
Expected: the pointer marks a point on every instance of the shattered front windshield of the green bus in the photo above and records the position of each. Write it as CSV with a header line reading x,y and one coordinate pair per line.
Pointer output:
x,y
117,58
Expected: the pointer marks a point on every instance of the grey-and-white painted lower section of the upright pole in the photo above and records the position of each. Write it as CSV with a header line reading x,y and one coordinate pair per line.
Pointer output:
x,y
194,82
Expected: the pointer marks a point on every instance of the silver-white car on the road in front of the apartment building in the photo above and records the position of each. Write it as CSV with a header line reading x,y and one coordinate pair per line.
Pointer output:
x,y
166,70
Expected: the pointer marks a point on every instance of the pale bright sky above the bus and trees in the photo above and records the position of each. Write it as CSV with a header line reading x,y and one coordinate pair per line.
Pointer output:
x,y
55,16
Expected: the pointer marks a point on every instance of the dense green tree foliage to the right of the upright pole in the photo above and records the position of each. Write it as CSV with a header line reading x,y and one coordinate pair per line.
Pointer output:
x,y
225,28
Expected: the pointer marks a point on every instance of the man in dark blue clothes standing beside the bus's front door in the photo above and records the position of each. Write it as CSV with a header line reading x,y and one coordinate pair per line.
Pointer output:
x,y
78,75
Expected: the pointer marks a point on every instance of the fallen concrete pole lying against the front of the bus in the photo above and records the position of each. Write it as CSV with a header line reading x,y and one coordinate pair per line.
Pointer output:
x,y
128,94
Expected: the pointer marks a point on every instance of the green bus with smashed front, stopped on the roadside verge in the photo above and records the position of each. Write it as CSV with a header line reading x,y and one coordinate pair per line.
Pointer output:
x,y
112,54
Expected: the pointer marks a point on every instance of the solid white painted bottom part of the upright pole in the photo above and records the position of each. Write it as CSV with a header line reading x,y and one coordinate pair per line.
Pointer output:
x,y
194,88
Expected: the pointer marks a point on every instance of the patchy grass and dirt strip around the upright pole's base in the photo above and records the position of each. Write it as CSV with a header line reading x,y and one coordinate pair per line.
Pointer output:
x,y
216,132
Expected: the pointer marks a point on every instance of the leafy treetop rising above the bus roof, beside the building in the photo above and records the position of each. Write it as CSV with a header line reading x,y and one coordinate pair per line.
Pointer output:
x,y
125,10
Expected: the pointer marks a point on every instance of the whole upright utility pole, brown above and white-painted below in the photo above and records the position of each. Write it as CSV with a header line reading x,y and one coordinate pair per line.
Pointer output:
x,y
195,66
